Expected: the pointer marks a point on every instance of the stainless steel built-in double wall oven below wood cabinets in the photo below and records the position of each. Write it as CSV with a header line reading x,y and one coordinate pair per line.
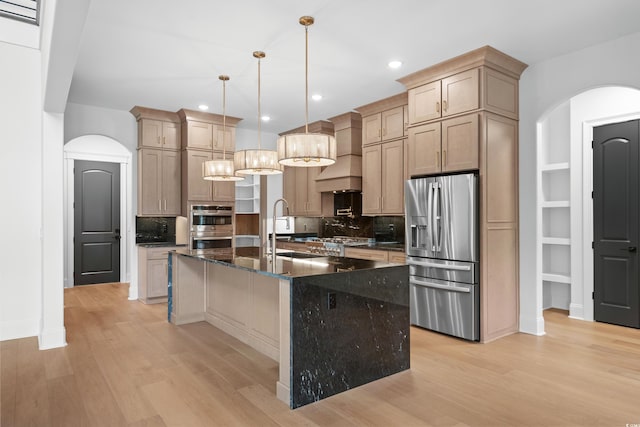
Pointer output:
x,y
211,229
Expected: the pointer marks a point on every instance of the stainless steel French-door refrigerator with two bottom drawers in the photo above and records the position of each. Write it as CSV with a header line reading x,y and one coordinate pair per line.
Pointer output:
x,y
443,253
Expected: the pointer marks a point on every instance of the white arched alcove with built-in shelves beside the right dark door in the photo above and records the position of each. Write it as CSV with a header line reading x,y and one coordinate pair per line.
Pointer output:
x,y
564,231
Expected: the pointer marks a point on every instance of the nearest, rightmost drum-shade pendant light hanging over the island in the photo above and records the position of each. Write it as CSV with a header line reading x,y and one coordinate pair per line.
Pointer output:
x,y
306,149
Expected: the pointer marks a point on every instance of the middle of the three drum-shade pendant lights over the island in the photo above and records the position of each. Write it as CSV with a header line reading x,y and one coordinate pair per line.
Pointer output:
x,y
257,162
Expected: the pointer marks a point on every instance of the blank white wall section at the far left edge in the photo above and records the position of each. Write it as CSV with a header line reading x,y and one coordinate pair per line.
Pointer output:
x,y
21,189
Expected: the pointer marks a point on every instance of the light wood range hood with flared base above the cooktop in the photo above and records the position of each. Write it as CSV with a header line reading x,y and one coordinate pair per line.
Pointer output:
x,y
346,173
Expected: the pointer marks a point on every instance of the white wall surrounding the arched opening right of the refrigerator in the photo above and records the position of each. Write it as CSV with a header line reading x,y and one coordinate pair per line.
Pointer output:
x,y
543,87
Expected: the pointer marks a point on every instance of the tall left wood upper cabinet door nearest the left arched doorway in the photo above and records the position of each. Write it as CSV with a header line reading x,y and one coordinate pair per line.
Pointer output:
x,y
149,181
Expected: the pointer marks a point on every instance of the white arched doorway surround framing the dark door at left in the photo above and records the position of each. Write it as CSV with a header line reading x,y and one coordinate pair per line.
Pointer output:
x,y
101,149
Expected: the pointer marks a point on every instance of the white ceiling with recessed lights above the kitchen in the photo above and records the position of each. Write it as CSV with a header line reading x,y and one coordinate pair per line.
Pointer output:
x,y
167,54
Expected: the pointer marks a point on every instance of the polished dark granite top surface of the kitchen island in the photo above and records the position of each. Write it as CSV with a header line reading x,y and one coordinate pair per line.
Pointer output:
x,y
290,264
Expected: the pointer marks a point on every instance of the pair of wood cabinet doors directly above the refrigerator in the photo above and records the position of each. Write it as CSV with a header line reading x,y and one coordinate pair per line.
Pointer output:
x,y
447,146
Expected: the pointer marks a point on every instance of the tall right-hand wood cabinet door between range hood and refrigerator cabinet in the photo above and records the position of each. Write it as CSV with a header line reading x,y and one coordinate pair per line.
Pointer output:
x,y
392,200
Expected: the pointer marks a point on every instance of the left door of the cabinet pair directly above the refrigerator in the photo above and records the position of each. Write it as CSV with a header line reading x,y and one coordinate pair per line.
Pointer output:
x,y
423,150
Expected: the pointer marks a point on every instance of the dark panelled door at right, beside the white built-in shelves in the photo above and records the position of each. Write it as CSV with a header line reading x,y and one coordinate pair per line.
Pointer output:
x,y
616,185
